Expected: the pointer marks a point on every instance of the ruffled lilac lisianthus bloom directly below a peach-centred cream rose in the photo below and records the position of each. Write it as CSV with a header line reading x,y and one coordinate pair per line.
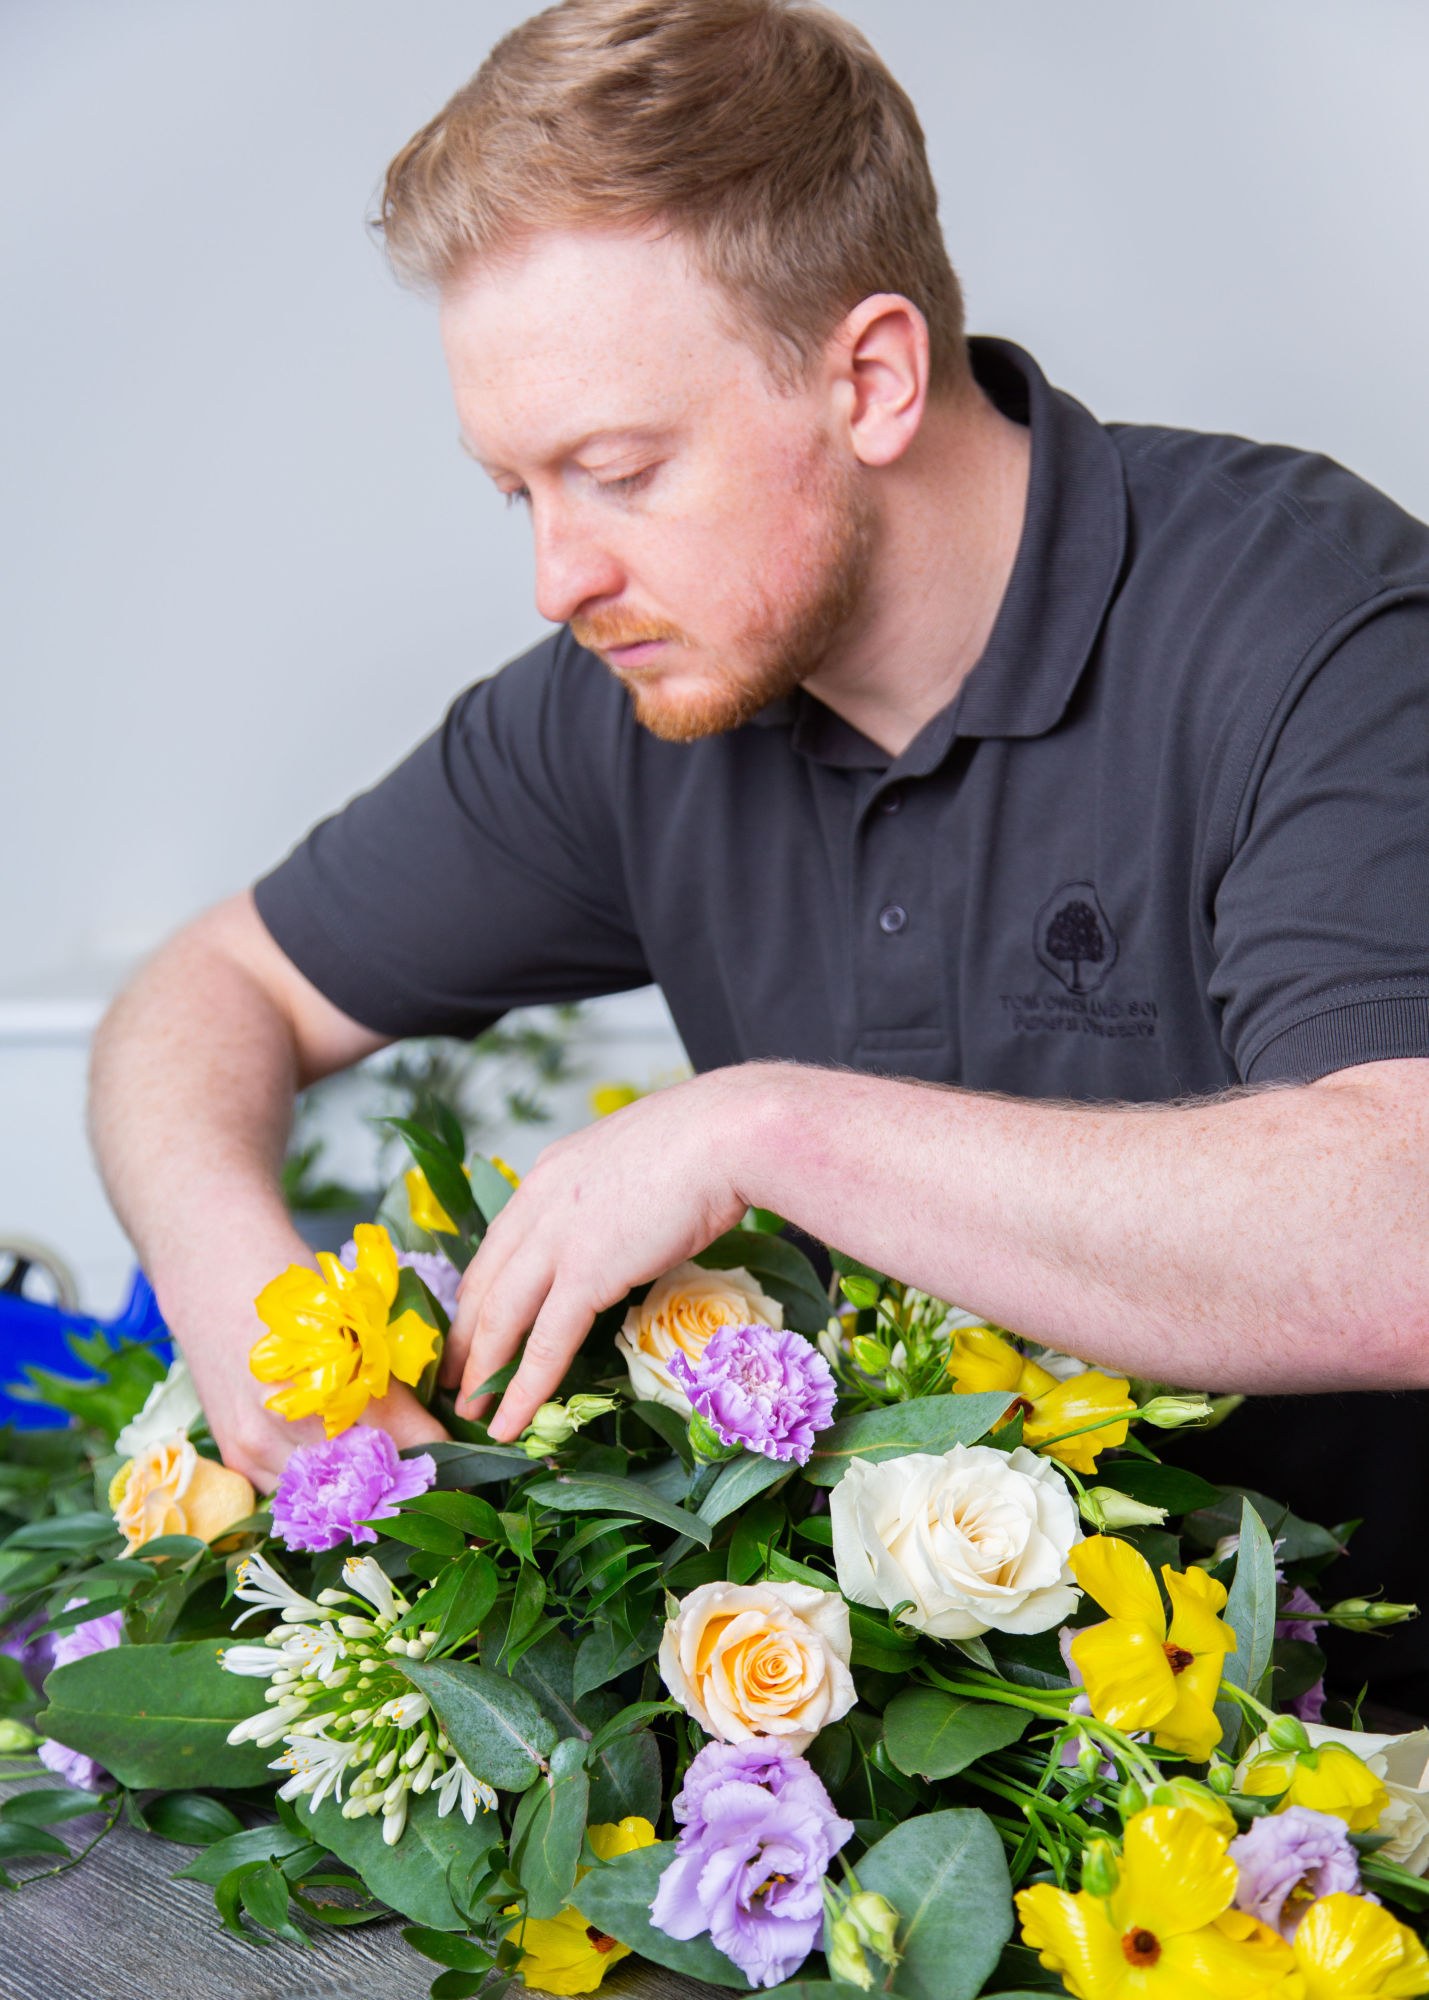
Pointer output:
x,y
750,1865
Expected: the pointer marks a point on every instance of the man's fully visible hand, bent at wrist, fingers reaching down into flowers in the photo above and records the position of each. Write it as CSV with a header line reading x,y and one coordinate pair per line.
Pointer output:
x,y
601,1211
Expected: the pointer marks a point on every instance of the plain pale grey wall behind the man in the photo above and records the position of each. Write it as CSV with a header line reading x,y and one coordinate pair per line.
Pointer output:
x,y
243,561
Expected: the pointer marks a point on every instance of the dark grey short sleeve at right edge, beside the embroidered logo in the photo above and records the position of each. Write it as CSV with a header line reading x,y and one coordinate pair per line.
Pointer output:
x,y
1322,919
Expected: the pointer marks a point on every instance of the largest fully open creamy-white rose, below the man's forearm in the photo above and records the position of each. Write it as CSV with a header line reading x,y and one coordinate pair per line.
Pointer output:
x,y
972,1541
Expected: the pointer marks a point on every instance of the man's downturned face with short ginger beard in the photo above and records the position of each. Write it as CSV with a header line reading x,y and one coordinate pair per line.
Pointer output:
x,y
695,525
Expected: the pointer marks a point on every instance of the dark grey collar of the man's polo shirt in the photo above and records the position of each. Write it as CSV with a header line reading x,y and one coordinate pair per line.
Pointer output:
x,y
1064,581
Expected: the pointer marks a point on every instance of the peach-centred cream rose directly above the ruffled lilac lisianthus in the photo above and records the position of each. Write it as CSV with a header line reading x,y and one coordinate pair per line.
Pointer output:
x,y
760,1661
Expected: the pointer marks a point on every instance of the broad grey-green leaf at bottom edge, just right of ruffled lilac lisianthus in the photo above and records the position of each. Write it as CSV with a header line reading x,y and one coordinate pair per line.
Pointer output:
x,y
948,1879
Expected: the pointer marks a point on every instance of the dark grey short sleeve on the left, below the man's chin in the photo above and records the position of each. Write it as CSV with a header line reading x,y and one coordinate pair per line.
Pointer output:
x,y
483,873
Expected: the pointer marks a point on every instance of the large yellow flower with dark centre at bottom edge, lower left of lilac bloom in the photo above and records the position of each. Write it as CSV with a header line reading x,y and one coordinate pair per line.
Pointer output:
x,y
1166,1929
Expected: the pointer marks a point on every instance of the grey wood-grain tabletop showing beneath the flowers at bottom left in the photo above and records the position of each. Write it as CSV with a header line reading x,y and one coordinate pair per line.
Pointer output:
x,y
119,1927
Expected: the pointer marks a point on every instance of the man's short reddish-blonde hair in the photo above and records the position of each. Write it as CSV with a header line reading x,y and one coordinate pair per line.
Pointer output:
x,y
764,133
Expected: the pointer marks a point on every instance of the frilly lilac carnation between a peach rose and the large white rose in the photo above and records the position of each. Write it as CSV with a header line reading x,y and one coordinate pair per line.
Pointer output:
x,y
764,1389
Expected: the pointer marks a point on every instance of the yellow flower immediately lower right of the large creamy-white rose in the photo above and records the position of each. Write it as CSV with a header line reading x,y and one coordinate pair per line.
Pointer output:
x,y
1138,1673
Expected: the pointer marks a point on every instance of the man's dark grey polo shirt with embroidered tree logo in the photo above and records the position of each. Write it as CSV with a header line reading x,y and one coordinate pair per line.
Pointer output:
x,y
1172,833
